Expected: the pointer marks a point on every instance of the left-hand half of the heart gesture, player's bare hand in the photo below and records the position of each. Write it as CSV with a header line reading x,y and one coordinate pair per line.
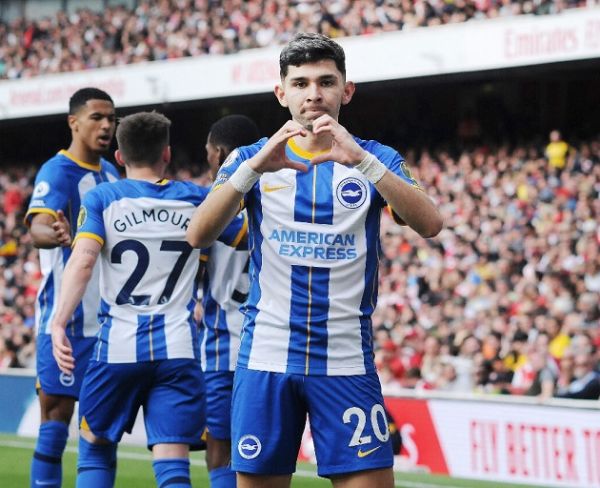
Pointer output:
x,y
272,155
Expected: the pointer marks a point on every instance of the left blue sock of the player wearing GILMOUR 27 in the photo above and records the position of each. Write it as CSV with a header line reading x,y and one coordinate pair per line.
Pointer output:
x,y
96,464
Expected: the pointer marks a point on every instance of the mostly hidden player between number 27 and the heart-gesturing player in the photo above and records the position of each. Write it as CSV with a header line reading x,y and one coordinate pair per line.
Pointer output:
x,y
225,289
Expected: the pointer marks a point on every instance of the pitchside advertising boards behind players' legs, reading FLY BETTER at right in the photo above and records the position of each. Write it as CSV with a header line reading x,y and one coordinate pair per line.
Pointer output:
x,y
491,437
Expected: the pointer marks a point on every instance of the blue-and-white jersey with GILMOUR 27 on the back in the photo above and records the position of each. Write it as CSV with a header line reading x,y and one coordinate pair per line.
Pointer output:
x,y
147,269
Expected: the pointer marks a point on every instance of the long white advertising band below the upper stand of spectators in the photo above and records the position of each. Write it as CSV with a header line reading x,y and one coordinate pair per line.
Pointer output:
x,y
472,46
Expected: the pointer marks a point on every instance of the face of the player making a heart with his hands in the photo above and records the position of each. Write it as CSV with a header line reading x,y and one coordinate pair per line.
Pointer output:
x,y
314,89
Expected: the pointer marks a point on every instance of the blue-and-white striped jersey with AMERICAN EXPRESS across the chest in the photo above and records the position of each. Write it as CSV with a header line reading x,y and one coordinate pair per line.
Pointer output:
x,y
314,246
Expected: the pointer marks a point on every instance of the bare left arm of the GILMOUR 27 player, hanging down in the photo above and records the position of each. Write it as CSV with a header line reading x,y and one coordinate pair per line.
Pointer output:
x,y
76,276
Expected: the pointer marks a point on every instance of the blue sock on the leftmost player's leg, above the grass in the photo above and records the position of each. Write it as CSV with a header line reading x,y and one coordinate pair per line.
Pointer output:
x,y
46,466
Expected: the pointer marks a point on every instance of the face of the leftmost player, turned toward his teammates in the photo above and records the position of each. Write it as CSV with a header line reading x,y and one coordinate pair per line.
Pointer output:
x,y
94,125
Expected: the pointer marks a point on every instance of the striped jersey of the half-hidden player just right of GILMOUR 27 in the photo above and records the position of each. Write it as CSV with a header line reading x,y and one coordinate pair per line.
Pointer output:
x,y
225,290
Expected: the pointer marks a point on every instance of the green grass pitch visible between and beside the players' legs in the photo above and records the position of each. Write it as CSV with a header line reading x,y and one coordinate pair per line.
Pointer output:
x,y
135,470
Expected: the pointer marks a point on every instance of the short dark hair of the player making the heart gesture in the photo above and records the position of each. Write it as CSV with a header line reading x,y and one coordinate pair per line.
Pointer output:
x,y
310,48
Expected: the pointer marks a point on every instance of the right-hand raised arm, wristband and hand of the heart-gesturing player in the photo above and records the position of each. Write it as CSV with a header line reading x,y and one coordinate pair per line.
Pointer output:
x,y
410,204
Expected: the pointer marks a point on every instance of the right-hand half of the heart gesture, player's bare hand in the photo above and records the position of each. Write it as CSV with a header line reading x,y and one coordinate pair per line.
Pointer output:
x,y
344,149
